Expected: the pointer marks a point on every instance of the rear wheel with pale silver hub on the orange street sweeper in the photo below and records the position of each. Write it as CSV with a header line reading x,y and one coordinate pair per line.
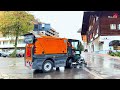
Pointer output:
x,y
47,66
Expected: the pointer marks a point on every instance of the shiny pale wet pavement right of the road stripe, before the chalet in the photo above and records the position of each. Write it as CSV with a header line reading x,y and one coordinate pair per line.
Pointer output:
x,y
104,66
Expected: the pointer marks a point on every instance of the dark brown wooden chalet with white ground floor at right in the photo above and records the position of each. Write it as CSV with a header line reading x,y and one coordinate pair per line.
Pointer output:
x,y
101,28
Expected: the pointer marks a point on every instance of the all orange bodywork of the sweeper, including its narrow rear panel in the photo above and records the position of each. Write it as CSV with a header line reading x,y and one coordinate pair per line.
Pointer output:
x,y
46,45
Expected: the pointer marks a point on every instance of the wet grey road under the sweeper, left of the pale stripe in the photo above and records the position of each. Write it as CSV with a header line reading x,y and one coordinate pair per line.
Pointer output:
x,y
14,69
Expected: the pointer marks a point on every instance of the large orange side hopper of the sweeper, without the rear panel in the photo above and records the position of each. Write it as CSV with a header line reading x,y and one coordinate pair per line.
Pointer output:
x,y
51,45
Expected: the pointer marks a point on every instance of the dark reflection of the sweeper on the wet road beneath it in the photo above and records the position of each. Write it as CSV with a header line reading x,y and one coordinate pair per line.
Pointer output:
x,y
66,74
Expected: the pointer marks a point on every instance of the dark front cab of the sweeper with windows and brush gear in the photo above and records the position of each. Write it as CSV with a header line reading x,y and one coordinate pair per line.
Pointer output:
x,y
74,54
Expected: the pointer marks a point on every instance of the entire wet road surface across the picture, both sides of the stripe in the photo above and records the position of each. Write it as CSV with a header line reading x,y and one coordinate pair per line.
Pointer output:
x,y
98,66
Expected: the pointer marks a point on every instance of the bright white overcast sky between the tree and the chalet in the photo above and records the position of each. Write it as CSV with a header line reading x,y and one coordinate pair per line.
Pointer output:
x,y
67,23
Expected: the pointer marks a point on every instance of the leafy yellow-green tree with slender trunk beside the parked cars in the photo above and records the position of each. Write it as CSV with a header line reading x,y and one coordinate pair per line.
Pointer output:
x,y
15,24
